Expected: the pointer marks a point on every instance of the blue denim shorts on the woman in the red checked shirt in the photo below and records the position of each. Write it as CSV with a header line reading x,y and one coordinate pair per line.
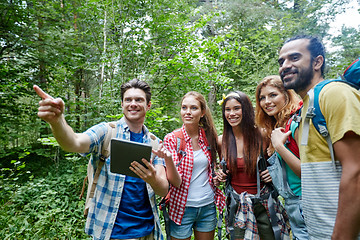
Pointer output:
x,y
202,219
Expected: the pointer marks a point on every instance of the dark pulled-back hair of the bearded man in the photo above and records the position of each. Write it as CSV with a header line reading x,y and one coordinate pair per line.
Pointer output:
x,y
315,47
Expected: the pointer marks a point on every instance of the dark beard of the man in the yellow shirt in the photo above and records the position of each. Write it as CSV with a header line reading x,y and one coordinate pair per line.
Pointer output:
x,y
302,81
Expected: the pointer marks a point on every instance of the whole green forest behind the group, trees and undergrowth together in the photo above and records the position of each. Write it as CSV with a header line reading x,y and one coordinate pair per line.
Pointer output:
x,y
82,51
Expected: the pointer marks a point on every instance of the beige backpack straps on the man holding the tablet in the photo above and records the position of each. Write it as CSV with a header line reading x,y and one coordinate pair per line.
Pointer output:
x,y
91,177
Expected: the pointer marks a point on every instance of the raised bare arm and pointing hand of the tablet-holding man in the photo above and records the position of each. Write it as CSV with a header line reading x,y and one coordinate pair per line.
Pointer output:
x,y
51,110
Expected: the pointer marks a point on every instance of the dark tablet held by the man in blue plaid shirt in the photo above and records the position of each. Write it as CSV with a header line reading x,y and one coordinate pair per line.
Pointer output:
x,y
124,152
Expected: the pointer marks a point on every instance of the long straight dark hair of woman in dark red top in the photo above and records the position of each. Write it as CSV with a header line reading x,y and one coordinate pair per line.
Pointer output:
x,y
252,136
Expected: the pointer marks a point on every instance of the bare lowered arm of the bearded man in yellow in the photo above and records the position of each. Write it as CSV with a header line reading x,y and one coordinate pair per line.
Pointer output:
x,y
347,224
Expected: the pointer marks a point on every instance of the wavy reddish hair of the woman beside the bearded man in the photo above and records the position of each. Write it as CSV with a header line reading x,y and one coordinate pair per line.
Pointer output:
x,y
268,123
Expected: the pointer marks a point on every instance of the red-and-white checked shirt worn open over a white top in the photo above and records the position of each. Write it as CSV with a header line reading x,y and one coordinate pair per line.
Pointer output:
x,y
178,196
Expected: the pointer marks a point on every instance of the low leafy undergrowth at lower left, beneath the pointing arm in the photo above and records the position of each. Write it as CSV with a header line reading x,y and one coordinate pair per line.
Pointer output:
x,y
41,199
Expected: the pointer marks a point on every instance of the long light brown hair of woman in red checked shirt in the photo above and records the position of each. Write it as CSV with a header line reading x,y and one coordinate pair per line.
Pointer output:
x,y
207,123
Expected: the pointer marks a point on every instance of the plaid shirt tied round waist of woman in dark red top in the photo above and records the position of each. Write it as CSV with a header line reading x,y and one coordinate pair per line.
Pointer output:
x,y
245,218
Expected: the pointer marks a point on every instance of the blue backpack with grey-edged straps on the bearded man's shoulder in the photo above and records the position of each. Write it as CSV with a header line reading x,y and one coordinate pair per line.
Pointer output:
x,y
351,77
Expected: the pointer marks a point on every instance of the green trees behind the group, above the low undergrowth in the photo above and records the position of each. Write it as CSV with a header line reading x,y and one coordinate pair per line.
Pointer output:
x,y
83,52
